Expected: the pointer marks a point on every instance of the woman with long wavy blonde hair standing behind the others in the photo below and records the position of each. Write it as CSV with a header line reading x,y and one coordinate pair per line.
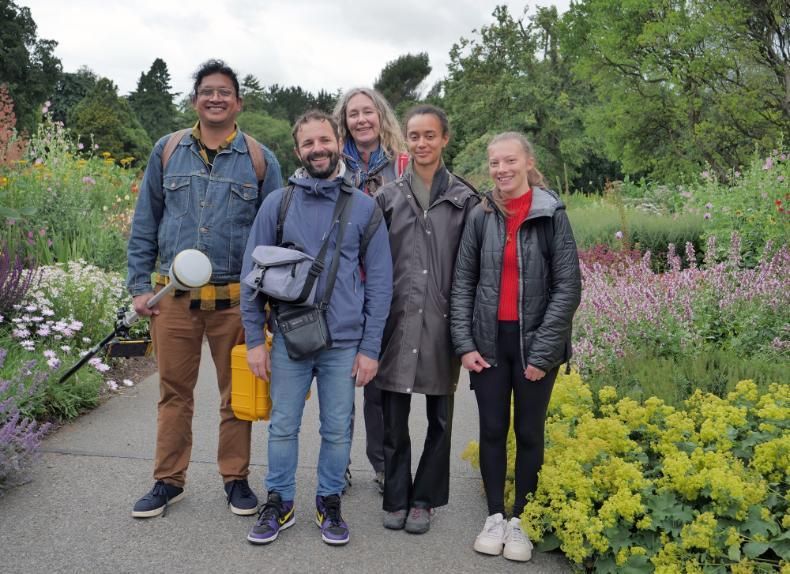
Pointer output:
x,y
374,154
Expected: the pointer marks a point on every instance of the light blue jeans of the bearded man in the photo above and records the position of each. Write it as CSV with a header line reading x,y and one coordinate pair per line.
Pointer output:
x,y
289,384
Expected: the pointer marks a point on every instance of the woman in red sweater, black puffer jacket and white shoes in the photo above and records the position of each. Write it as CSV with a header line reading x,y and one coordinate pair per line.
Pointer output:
x,y
516,287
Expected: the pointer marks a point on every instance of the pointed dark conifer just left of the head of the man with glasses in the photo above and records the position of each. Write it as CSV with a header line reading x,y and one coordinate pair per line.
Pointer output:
x,y
152,101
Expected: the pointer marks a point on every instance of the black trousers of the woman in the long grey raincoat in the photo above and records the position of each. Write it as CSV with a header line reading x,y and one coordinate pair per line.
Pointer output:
x,y
431,485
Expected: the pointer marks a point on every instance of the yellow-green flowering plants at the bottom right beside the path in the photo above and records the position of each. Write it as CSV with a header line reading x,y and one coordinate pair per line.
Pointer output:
x,y
642,487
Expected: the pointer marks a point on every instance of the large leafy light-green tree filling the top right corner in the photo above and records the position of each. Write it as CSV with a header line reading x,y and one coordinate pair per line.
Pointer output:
x,y
680,84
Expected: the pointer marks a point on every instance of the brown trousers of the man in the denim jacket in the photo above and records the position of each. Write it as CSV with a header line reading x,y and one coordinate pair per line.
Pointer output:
x,y
177,334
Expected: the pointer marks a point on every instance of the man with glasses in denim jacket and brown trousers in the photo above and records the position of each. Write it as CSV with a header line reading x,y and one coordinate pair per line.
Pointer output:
x,y
201,190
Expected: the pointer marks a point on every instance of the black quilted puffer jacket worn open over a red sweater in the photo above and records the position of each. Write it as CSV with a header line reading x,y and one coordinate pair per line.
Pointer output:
x,y
549,292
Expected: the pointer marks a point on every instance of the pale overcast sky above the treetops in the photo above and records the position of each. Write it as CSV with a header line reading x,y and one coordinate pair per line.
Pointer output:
x,y
315,44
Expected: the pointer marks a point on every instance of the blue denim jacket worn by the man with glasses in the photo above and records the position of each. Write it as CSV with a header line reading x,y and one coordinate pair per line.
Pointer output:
x,y
189,207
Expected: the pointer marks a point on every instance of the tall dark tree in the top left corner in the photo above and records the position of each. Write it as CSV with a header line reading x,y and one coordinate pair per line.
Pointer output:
x,y
27,64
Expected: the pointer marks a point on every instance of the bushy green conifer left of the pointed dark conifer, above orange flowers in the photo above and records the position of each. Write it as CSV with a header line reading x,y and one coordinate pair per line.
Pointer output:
x,y
108,121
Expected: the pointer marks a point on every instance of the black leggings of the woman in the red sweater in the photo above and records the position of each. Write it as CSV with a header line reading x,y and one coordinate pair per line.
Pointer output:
x,y
493,388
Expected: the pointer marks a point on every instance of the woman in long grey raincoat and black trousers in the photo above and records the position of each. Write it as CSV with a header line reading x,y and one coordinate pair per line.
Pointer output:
x,y
425,211
